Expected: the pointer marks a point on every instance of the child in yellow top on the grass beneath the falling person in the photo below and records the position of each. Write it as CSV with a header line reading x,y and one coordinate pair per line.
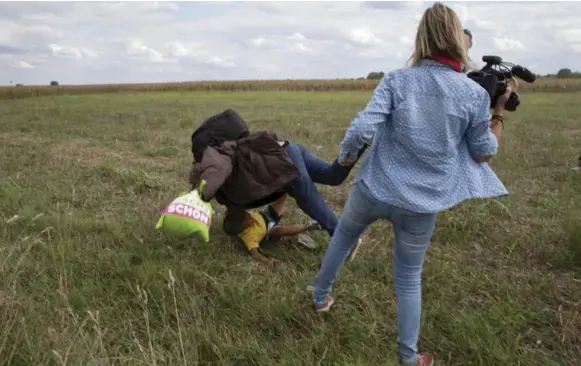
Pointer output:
x,y
253,227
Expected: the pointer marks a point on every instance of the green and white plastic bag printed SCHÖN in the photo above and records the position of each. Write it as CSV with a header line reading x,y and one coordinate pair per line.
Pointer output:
x,y
187,215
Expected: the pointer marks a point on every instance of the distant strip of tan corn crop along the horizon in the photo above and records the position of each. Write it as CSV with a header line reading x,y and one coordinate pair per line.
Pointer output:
x,y
18,92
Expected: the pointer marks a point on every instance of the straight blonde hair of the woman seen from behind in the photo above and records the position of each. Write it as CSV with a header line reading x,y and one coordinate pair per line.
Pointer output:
x,y
440,33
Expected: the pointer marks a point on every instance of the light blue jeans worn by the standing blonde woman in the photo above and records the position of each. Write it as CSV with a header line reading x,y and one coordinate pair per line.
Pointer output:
x,y
412,232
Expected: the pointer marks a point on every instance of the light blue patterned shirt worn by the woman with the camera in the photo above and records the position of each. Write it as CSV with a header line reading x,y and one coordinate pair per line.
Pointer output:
x,y
427,123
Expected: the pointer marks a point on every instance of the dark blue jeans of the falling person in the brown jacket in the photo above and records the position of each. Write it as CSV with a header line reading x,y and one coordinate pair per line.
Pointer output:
x,y
313,169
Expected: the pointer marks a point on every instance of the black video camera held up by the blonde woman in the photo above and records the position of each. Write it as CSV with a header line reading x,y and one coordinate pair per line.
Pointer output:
x,y
493,78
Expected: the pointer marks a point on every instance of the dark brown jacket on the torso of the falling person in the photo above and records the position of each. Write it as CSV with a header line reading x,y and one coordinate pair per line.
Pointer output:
x,y
245,171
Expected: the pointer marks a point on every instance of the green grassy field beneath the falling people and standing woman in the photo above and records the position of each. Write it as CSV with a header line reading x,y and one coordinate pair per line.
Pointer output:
x,y
86,280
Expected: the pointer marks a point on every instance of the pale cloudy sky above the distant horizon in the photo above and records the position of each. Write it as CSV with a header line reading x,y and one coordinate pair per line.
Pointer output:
x,y
144,42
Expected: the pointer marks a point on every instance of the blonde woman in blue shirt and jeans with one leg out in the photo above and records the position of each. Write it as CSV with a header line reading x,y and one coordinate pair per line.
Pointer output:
x,y
433,136
